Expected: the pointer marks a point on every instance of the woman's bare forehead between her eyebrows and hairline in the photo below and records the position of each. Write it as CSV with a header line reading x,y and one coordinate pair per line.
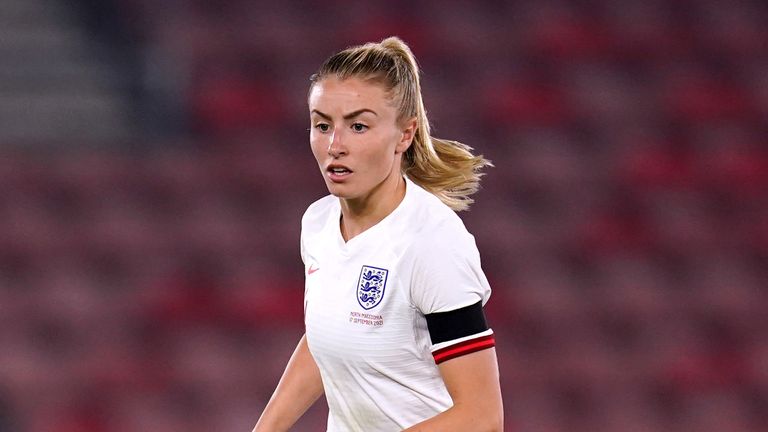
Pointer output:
x,y
349,94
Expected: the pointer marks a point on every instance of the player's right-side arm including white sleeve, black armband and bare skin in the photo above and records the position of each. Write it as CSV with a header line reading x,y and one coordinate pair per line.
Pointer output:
x,y
450,289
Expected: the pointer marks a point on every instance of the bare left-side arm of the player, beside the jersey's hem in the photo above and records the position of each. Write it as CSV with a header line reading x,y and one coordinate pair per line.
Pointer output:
x,y
299,387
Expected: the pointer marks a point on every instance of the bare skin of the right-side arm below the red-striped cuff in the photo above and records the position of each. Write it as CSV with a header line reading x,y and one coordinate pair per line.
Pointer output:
x,y
473,383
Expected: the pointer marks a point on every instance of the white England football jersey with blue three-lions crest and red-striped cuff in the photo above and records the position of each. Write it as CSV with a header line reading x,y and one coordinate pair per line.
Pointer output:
x,y
365,303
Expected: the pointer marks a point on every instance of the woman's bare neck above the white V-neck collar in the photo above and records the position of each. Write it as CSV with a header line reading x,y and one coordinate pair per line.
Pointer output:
x,y
359,214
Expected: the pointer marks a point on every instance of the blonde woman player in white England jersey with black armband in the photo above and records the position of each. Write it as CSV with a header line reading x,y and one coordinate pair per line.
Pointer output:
x,y
395,334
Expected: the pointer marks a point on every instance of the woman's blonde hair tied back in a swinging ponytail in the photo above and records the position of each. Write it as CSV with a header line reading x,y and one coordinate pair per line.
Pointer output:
x,y
446,168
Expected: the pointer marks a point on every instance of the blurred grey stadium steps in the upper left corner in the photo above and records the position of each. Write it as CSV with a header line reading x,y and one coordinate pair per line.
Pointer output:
x,y
54,86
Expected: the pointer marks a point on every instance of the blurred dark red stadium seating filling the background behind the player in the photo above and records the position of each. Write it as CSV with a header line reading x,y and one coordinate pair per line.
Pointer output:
x,y
156,167
